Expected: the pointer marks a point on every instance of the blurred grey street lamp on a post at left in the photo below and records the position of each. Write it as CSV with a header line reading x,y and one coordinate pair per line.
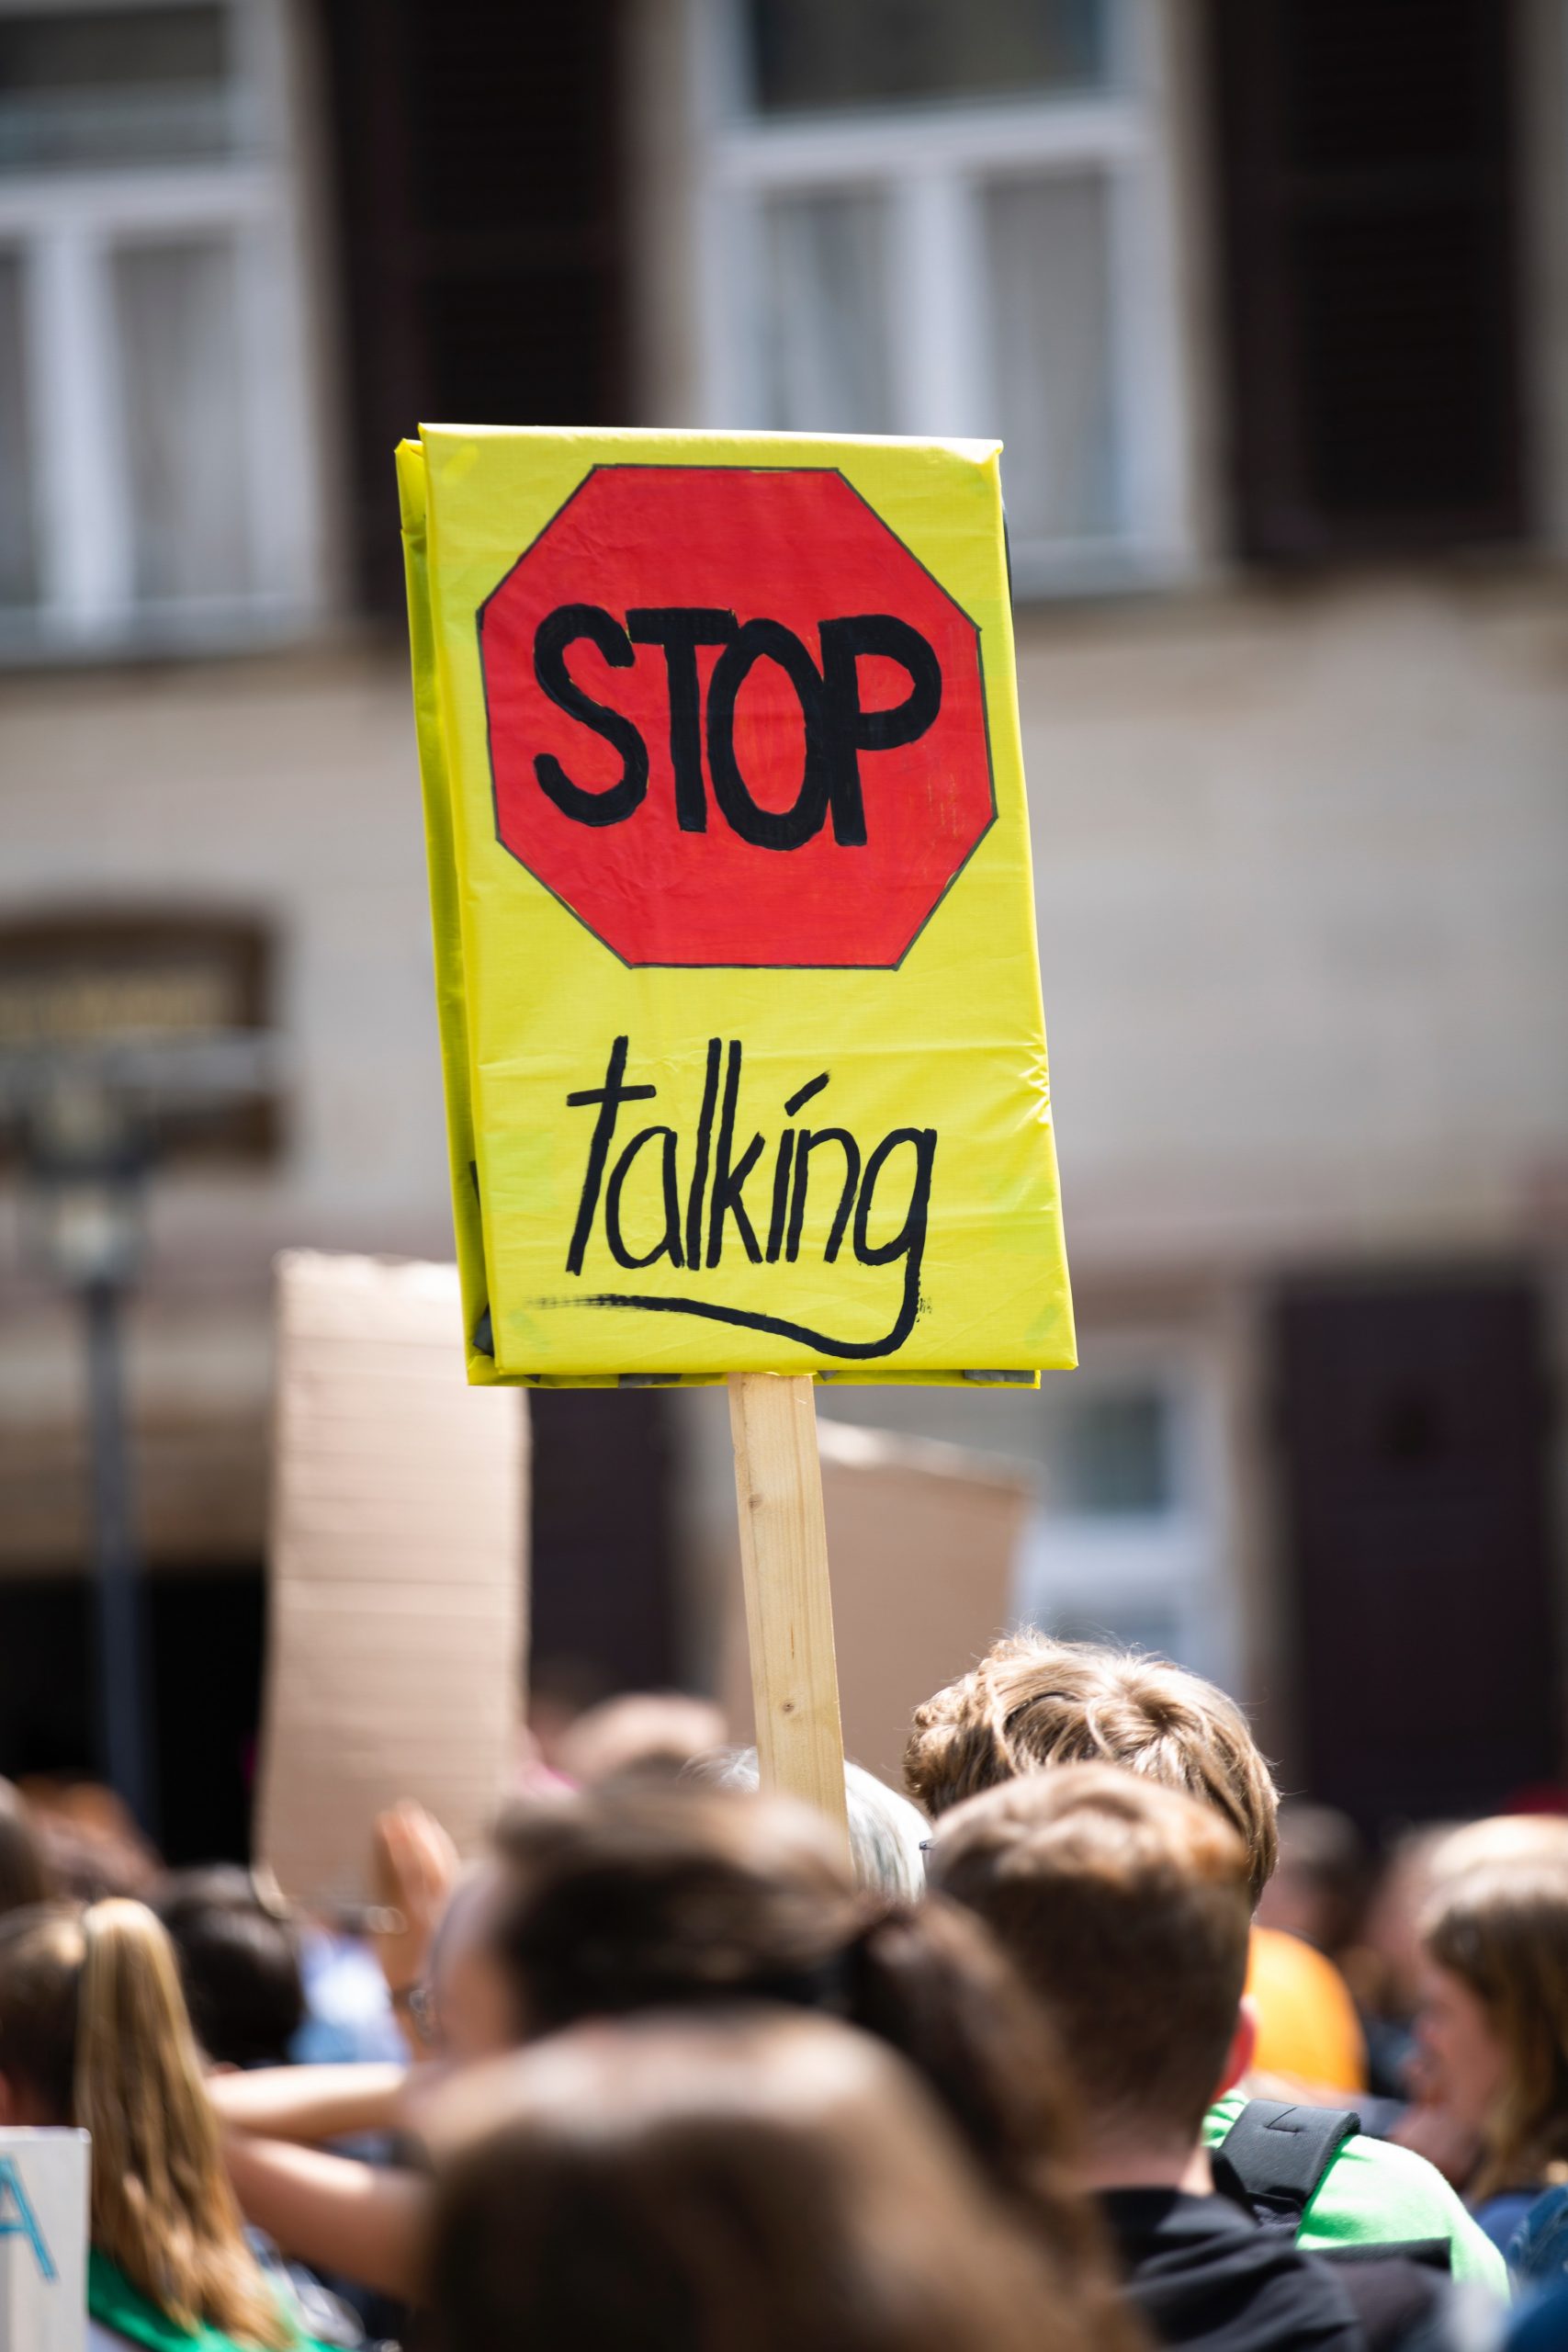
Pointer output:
x,y
91,1123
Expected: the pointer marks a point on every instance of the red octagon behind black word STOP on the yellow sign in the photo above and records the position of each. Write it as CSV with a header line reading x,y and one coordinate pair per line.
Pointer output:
x,y
796,549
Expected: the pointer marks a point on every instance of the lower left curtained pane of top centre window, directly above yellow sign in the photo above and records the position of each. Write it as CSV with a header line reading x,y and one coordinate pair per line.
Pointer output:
x,y
824,328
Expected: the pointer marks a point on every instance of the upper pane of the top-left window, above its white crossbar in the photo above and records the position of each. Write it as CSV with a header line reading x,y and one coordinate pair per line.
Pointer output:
x,y
119,86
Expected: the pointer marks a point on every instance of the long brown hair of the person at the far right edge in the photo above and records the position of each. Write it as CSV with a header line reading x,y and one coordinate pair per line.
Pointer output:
x,y
1503,1930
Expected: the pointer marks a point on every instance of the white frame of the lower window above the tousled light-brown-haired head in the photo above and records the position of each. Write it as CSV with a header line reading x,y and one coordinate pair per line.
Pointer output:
x,y
1104,1570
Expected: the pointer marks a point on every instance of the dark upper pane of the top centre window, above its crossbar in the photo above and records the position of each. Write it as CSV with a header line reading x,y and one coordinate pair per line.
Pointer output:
x,y
812,55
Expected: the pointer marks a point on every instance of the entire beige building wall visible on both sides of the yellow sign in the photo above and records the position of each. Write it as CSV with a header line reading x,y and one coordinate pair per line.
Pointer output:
x,y
1304,867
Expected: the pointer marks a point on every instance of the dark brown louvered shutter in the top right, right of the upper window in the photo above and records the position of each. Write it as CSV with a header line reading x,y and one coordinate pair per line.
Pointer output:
x,y
1367,156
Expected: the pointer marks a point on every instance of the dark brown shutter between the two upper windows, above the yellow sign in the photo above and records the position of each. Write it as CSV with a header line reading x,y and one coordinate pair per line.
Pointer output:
x,y
476,168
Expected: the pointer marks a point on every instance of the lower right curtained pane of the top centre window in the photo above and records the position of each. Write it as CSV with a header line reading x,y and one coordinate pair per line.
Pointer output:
x,y
1052,370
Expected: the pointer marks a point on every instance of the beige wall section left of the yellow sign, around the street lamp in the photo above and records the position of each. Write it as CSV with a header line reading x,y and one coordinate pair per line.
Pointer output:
x,y
283,789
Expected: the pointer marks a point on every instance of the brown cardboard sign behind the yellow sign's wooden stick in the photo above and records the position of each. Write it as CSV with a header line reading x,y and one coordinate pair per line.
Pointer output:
x,y
925,1544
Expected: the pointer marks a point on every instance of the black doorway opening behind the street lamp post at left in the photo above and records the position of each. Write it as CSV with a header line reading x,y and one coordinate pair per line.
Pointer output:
x,y
208,1648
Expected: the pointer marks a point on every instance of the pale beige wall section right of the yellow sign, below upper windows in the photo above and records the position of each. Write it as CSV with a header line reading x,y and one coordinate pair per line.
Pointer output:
x,y
1304,886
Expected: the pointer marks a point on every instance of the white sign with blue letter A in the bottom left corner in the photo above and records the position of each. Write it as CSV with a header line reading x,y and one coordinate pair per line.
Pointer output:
x,y
43,2240
